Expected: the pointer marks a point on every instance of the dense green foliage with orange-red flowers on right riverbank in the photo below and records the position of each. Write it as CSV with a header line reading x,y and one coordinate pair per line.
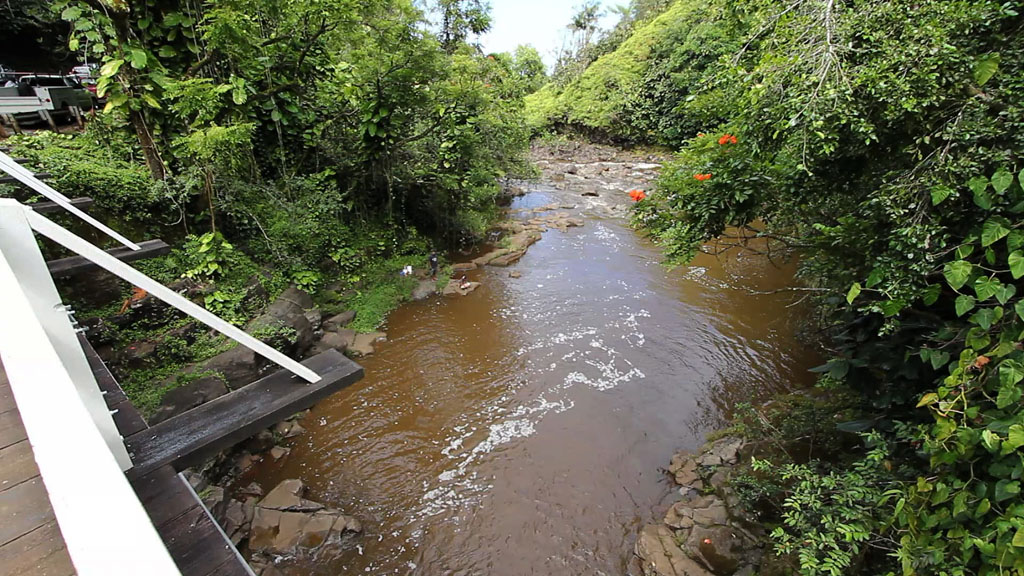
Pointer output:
x,y
883,141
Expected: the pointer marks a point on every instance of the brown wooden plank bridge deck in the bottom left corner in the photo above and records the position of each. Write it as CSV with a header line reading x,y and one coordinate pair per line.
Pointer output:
x,y
30,540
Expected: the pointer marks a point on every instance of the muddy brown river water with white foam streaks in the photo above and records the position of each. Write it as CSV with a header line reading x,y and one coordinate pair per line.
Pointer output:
x,y
521,430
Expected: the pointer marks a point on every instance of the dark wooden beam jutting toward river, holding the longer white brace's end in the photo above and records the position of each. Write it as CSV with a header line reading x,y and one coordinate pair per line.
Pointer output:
x,y
203,432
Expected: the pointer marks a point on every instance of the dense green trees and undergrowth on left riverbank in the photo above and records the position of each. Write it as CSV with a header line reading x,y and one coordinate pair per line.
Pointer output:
x,y
324,144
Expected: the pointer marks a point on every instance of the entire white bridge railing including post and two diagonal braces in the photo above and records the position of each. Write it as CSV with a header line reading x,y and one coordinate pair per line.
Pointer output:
x,y
80,455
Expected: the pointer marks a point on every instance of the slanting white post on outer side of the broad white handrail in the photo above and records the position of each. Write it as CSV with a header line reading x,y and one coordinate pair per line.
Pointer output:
x,y
18,245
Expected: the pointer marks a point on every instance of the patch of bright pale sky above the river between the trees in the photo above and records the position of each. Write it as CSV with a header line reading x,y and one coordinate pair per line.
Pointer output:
x,y
539,23
